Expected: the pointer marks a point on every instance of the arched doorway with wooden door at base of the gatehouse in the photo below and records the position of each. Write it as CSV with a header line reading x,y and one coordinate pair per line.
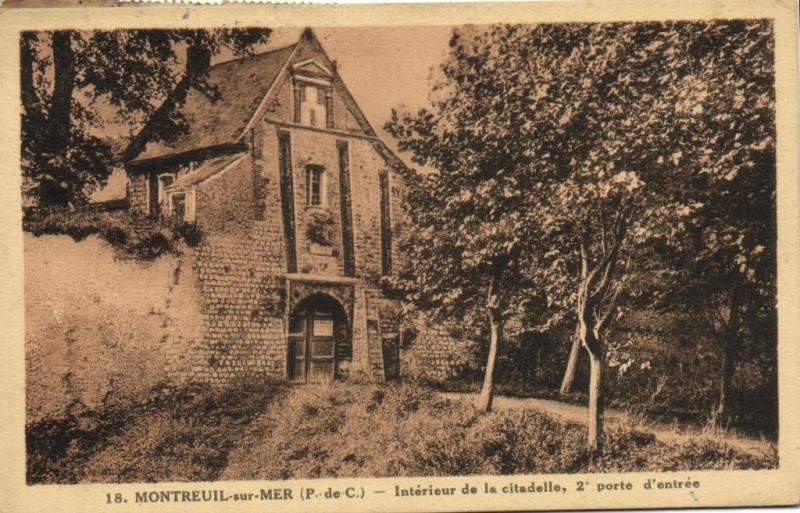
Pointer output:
x,y
319,340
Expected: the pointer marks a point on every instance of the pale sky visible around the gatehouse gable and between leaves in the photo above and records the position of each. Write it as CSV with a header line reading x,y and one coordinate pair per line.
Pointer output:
x,y
383,67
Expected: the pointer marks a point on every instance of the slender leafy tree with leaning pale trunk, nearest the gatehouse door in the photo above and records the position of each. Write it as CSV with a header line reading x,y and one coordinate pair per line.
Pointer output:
x,y
468,224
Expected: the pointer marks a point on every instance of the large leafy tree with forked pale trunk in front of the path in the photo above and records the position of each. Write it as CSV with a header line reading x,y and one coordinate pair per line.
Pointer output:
x,y
672,113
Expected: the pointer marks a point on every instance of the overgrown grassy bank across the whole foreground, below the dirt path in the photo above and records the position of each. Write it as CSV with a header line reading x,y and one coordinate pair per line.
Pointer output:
x,y
261,431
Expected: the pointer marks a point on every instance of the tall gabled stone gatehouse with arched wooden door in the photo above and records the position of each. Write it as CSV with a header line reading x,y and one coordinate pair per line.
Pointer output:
x,y
300,203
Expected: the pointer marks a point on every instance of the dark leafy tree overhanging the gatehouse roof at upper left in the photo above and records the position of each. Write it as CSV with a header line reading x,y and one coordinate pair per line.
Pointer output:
x,y
73,82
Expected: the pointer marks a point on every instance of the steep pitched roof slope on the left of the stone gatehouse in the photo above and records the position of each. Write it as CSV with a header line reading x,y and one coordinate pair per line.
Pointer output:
x,y
242,84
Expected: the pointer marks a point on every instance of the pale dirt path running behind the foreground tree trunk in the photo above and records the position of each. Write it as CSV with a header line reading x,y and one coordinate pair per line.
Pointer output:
x,y
614,418
